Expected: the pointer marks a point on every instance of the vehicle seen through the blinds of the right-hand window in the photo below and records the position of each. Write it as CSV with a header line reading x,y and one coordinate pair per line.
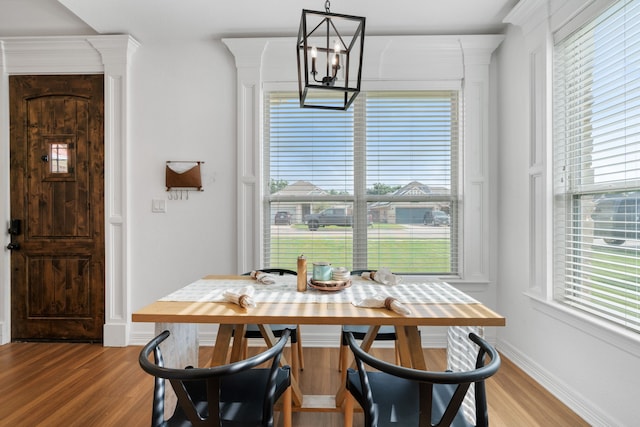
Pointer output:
x,y
617,218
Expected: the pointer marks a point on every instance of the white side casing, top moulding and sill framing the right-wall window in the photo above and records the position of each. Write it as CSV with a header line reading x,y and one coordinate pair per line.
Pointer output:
x,y
541,27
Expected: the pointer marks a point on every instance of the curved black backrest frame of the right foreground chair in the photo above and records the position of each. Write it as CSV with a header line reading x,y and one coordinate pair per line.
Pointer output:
x,y
427,380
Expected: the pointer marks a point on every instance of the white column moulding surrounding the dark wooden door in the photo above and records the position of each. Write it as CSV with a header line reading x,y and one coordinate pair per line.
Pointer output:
x,y
110,55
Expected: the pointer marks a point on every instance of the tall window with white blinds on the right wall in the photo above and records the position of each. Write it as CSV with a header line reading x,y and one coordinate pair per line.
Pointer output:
x,y
597,166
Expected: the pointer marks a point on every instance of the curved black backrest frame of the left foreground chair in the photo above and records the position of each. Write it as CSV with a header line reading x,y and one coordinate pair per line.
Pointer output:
x,y
199,389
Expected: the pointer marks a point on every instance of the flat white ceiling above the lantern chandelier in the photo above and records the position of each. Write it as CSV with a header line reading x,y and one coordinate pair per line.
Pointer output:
x,y
207,19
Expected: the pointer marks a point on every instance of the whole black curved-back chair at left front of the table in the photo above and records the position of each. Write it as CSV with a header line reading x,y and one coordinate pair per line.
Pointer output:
x,y
237,394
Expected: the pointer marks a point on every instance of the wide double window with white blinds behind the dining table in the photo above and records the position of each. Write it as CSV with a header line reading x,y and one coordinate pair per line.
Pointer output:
x,y
375,186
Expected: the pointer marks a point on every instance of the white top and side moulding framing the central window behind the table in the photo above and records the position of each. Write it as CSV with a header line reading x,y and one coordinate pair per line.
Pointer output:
x,y
461,59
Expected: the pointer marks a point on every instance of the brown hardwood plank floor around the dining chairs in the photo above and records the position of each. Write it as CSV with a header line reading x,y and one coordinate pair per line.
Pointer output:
x,y
51,384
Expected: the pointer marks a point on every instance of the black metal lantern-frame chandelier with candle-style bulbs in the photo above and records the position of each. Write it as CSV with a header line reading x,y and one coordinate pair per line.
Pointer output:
x,y
329,51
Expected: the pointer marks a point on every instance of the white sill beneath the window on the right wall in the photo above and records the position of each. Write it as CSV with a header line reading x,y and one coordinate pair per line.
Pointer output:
x,y
610,333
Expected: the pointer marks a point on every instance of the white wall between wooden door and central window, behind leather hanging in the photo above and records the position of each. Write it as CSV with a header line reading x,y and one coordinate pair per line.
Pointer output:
x,y
182,108
